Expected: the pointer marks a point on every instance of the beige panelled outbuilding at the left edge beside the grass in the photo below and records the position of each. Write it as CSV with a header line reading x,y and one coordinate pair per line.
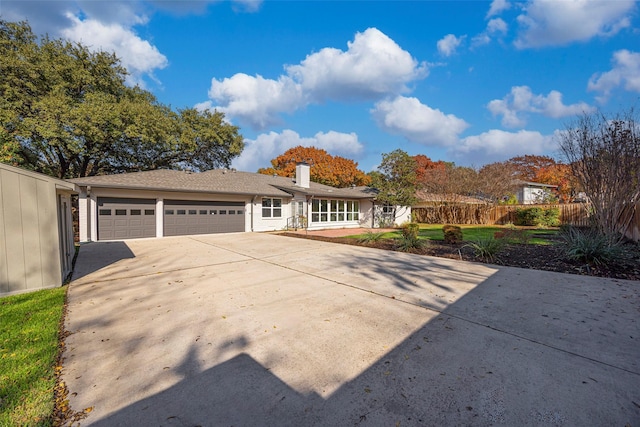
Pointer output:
x,y
36,230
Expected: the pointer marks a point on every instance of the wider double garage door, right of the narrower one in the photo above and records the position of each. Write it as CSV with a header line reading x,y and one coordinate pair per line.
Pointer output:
x,y
186,217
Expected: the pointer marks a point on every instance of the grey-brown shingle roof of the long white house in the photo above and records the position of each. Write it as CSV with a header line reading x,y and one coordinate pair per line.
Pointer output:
x,y
222,181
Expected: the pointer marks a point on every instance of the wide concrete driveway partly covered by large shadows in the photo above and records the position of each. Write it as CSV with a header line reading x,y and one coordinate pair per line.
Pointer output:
x,y
263,330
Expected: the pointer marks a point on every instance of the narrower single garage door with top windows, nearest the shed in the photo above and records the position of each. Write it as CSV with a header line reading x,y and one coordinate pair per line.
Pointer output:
x,y
120,218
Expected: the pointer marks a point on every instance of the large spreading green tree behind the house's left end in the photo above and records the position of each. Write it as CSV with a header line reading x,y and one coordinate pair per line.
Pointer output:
x,y
66,111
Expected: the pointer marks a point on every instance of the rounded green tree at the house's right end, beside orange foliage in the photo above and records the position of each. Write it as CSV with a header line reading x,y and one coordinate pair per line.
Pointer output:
x,y
396,179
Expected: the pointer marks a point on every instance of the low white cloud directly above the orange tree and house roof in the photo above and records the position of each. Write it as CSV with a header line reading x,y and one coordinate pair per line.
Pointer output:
x,y
259,152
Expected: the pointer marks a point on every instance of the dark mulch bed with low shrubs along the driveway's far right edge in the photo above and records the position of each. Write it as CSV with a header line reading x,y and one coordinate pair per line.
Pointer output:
x,y
538,257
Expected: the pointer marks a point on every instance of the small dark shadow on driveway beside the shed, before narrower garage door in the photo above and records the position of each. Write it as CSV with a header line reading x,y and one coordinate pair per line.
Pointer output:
x,y
97,255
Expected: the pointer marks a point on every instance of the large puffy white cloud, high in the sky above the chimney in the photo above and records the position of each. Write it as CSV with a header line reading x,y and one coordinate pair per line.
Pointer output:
x,y
374,66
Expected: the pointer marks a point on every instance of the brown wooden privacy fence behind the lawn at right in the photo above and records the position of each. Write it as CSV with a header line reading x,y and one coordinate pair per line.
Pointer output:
x,y
576,214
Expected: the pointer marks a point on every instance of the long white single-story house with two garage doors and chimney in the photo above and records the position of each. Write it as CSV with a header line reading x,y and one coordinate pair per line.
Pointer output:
x,y
170,203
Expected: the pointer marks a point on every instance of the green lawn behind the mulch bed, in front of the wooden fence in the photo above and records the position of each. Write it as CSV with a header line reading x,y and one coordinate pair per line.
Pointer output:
x,y
471,233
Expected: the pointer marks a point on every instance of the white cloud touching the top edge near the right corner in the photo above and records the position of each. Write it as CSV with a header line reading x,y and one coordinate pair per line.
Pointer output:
x,y
552,22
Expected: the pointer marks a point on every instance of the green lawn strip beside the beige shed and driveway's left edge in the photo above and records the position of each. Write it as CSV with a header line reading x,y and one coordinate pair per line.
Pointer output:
x,y
28,352
